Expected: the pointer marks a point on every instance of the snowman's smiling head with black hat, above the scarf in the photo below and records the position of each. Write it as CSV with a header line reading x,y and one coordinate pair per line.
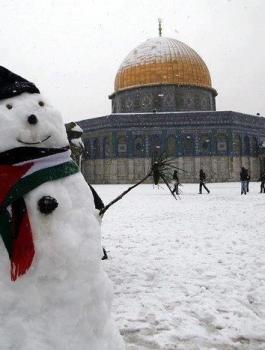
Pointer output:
x,y
27,119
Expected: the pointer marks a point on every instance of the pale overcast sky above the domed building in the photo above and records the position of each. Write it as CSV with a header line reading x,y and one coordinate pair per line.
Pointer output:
x,y
72,49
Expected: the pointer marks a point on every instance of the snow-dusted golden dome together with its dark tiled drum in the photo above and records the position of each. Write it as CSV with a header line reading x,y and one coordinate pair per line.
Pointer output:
x,y
163,75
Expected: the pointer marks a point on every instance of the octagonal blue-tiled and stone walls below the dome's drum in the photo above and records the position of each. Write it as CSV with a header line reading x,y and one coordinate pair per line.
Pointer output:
x,y
119,148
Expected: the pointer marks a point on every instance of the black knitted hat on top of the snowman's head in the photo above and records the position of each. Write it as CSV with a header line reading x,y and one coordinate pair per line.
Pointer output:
x,y
12,85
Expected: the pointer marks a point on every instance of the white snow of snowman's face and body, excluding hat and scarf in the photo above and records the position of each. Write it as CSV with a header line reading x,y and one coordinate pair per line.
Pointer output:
x,y
63,301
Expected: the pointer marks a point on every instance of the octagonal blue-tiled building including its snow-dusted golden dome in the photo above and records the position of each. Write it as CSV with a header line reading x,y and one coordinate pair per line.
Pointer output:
x,y
163,100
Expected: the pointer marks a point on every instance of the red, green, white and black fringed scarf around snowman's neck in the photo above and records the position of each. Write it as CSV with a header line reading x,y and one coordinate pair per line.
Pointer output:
x,y
22,170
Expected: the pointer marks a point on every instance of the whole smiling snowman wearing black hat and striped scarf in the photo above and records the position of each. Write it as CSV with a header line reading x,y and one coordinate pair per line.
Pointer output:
x,y
55,294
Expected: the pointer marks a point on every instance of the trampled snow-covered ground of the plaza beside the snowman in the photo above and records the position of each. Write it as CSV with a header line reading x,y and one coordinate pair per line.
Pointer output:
x,y
187,274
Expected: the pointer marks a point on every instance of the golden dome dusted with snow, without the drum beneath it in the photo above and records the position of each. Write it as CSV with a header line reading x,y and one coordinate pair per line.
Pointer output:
x,y
162,61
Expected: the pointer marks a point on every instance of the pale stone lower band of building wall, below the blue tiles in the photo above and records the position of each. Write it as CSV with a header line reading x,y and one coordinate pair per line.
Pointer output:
x,y
124,170
